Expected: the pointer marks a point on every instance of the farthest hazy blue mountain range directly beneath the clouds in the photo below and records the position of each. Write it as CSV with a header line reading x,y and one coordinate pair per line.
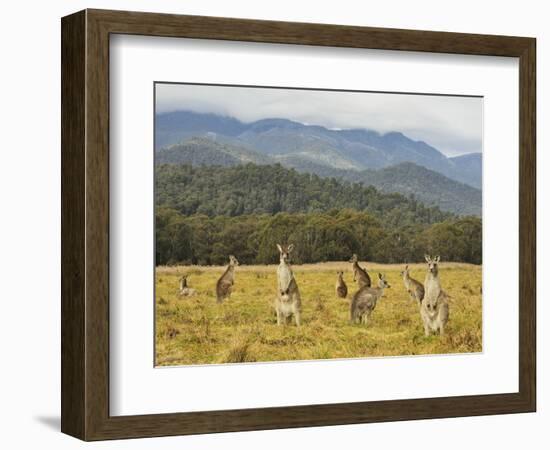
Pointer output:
x,y
357,149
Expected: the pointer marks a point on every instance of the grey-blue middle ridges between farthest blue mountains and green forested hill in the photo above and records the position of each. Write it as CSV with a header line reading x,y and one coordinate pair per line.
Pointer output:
x,y
408,179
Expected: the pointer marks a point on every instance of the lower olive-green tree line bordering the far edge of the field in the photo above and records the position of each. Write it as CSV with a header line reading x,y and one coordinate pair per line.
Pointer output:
x,y
333,235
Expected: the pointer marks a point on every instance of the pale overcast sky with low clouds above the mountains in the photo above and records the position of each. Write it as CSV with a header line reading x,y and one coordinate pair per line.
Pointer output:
x,y
451,124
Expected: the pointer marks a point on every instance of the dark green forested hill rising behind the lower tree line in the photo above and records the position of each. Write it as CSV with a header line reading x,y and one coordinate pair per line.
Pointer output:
x,y
252,189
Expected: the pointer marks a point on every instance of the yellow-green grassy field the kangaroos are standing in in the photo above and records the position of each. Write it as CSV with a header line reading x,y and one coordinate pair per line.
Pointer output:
x,y
196,330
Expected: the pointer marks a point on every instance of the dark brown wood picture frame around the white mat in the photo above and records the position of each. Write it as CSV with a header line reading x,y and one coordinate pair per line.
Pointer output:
x,y
85,224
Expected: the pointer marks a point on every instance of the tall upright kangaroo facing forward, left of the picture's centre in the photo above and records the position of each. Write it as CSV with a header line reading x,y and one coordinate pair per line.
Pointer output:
x,y
288,302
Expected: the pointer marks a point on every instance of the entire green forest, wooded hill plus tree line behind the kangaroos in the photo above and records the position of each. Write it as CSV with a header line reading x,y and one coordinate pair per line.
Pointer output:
x,y
203,214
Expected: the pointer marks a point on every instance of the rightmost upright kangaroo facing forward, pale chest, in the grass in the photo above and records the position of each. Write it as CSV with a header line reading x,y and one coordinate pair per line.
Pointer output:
x,y
434,309
